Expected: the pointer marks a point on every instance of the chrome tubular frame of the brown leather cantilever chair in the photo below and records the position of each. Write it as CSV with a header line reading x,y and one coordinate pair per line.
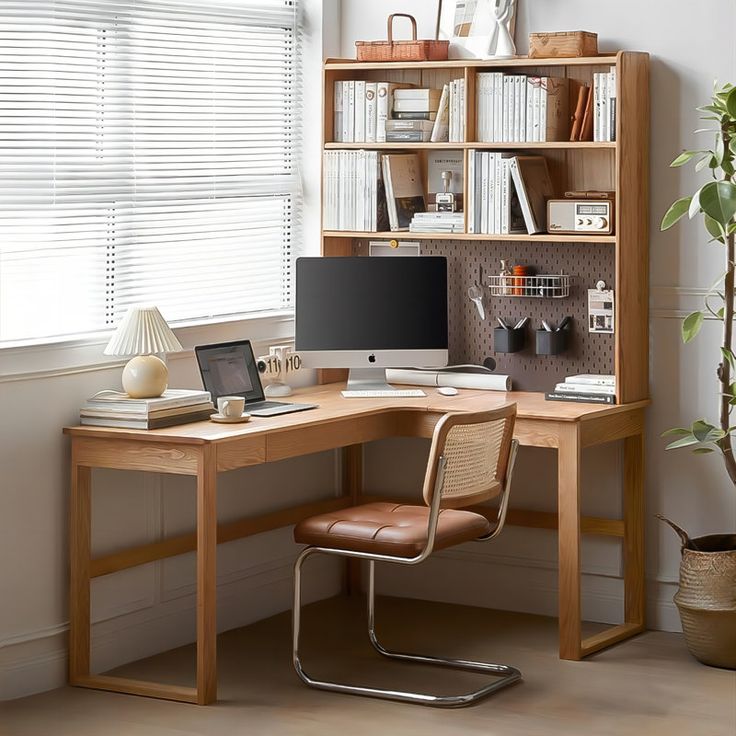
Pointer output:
x,y
504,674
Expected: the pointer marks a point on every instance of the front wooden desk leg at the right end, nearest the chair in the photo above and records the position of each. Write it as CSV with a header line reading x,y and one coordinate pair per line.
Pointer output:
x,y
568,501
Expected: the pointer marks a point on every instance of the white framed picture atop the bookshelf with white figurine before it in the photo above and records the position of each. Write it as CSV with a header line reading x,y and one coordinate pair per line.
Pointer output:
x,y
478,29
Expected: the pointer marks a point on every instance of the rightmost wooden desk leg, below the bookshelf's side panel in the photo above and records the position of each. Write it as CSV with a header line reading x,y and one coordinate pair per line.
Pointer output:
x,y
634,573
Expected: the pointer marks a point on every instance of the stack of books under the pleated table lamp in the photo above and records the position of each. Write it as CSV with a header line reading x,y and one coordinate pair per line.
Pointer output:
x,y
174,406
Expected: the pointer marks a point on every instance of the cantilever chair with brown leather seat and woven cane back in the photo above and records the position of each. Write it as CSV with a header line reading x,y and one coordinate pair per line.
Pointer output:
x,y
471,460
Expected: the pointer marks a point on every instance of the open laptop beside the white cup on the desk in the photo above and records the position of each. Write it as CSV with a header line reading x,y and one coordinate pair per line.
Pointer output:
x,y
229,369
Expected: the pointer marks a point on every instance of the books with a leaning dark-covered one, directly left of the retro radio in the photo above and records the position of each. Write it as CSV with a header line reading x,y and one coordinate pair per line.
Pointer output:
x,y
508,193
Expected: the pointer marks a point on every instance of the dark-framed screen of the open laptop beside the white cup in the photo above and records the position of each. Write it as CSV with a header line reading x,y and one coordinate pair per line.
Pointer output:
x,y
229,369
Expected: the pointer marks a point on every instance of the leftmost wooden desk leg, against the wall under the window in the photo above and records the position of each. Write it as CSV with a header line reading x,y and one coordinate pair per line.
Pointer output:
x,y
80,523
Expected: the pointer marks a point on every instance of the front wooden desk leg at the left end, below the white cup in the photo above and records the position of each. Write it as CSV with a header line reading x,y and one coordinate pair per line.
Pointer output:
x,y
207,576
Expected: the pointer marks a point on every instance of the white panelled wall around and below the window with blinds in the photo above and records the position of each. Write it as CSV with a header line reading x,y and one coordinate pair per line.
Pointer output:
x,y
151,608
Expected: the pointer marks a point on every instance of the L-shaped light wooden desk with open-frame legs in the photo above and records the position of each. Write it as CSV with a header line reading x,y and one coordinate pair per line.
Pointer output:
x,y
204,449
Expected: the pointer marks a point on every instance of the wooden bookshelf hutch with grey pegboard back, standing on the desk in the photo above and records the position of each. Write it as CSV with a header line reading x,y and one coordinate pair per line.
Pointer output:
x,y
621,259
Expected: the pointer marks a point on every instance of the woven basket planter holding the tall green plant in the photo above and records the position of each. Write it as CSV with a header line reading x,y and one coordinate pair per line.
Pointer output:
x,y
706,598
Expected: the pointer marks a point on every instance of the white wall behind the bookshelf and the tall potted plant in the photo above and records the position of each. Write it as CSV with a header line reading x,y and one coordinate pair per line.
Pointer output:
x,y
691,45
